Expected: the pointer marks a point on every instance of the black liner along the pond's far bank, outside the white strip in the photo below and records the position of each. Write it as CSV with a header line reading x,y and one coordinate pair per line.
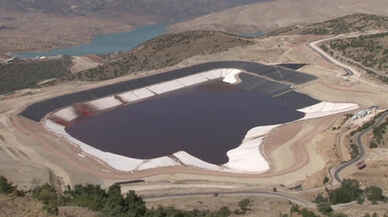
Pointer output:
x,y
38,110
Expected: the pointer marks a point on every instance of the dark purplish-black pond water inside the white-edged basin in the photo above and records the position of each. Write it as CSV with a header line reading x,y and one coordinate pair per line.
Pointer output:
x,y
205,120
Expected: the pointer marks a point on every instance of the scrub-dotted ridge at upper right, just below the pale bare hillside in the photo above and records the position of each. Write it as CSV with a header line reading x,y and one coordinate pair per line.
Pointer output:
x,y
346,24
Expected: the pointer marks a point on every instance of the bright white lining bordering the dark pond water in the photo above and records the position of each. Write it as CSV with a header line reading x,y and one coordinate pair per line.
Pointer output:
x,y
246,158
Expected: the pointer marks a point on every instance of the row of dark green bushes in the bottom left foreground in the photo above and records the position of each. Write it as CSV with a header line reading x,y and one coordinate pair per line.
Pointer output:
x,y
109,203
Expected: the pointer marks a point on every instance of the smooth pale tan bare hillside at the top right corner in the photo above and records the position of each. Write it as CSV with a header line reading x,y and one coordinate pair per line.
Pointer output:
x,y
280,13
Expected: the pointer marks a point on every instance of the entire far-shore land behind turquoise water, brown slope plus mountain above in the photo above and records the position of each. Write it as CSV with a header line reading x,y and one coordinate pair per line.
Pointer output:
x,y
42,25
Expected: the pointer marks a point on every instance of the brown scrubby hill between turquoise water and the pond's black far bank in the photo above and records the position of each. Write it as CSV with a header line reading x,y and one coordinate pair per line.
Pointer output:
x,y
163,51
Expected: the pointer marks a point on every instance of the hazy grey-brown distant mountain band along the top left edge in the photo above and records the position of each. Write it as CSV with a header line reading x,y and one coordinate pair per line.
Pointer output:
x,y
167,10
